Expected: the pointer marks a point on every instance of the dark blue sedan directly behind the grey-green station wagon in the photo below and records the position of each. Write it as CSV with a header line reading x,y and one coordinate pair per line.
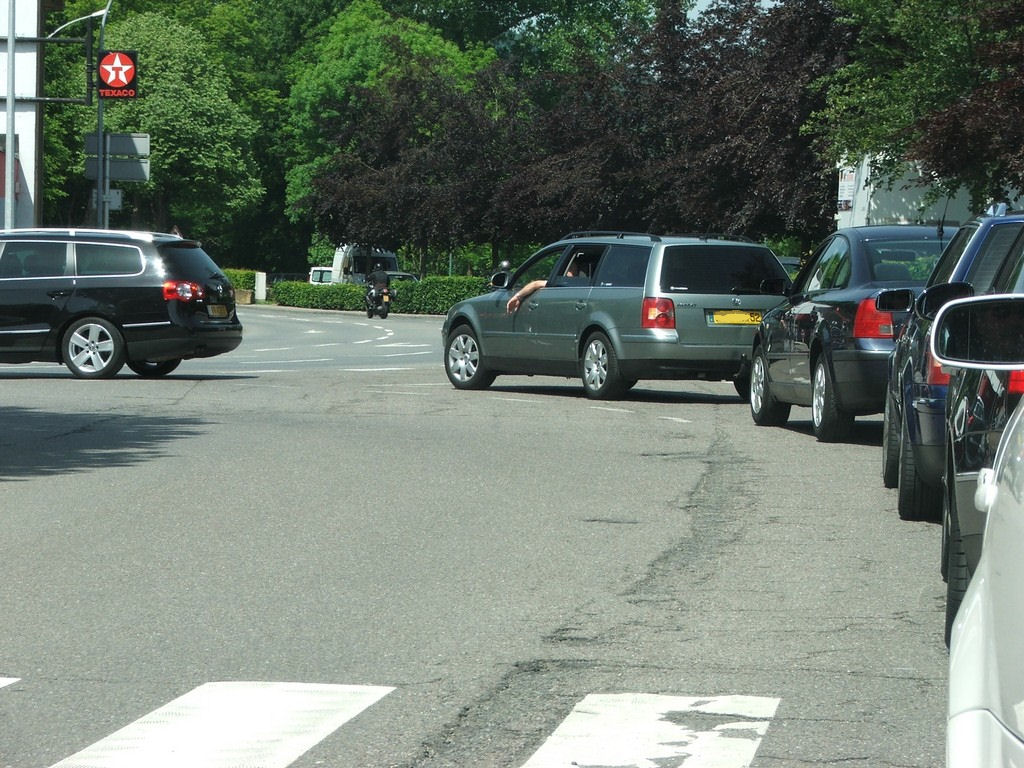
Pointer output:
x,y
828,346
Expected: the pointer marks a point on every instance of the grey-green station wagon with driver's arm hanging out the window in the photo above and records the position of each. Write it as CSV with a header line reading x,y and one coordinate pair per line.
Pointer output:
x,y
617,308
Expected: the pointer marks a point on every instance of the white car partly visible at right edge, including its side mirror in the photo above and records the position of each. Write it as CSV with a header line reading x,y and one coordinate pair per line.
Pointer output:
x,y
986,726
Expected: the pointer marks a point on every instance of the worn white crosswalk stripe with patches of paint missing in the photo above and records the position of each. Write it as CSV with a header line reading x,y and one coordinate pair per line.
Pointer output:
x,y
647,732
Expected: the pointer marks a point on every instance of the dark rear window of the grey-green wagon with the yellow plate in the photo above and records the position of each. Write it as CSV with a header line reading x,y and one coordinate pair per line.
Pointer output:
x,y
708,269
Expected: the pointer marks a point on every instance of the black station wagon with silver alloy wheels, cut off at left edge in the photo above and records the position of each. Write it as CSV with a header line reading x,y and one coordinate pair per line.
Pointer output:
x,y
98,301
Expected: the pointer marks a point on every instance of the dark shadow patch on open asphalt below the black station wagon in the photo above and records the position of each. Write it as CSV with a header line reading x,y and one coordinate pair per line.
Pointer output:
x,y
36,444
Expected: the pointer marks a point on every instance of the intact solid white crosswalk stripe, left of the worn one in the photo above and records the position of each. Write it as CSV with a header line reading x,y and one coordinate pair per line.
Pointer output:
x,y
223,726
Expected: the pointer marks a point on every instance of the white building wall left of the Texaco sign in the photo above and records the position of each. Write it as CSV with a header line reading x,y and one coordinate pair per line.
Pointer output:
x,y
27,114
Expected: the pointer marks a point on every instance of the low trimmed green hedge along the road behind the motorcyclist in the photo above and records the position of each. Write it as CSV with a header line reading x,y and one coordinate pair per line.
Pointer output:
x,y
430,296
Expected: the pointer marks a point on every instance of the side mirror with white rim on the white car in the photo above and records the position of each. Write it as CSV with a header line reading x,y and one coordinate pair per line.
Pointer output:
x,y
980,333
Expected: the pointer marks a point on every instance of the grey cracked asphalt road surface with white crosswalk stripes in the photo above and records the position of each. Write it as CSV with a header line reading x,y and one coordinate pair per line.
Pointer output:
x,y
447,578
